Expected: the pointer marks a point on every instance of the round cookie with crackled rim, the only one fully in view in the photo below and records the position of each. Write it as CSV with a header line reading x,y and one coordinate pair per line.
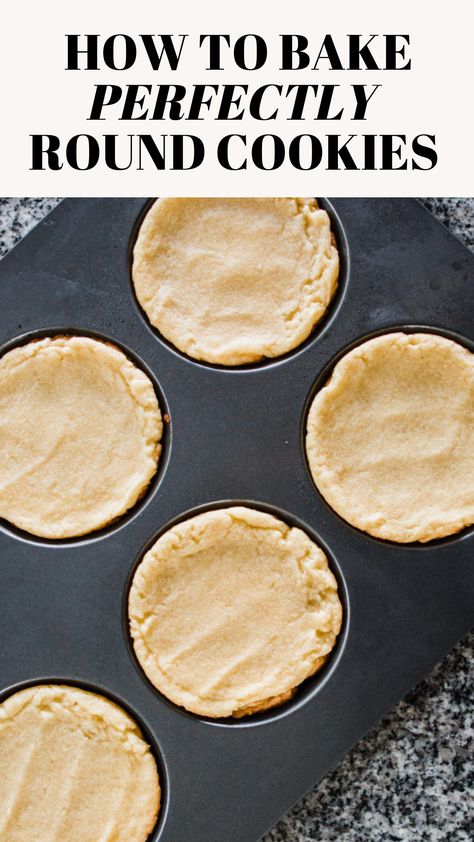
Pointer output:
x,y
231,610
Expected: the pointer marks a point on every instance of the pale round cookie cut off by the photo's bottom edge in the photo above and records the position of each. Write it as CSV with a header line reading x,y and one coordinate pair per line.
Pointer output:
x,y
75,767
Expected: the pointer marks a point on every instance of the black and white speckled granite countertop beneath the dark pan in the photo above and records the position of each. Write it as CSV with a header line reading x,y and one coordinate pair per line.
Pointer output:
x,y
412,777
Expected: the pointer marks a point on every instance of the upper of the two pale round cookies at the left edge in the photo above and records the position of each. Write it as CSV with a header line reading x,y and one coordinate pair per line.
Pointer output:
x,y
80,428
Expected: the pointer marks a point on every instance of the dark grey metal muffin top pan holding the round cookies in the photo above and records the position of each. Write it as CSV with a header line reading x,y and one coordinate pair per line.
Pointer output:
x,y
235,436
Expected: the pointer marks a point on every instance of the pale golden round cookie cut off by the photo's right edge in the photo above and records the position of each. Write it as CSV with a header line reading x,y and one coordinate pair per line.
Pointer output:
x,y
390,438
